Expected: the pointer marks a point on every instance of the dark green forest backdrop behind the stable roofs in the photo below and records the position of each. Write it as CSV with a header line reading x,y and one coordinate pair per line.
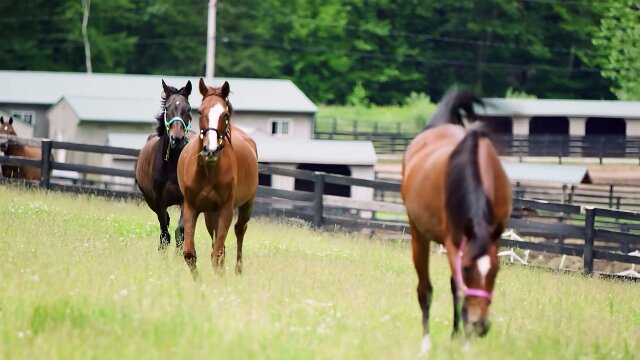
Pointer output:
x,y
331,48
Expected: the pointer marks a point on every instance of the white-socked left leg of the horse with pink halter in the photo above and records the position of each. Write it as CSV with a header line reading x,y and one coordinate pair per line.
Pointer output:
x,y
420,247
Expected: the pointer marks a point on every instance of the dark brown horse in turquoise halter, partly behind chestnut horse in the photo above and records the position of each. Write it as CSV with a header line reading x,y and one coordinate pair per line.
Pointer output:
x,y
156,169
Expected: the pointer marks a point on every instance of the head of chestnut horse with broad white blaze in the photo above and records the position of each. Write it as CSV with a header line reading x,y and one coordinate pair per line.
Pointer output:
x,y
215,116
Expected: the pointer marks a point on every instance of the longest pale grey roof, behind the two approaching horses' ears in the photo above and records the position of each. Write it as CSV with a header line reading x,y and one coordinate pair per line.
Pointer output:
x,y
41,87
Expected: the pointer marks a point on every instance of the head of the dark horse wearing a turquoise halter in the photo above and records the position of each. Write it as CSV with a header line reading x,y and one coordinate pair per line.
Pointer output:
x,y
175,119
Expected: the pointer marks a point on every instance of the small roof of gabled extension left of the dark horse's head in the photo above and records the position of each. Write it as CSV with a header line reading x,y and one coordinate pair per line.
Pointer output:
x,y
114,109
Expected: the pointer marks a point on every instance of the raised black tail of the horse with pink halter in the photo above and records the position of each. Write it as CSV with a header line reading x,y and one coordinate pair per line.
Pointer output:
x,y
450,107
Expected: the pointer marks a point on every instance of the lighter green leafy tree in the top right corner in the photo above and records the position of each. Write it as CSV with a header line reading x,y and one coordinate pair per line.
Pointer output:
x,y
618,43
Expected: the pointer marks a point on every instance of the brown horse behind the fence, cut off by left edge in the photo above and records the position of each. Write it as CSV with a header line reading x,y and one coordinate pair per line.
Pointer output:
x,y
34,153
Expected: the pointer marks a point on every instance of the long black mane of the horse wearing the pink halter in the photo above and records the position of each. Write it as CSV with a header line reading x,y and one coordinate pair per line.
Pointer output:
x,y
468,208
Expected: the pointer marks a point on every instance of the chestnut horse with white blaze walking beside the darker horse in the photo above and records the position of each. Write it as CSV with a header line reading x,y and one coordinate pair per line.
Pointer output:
x,y
217,173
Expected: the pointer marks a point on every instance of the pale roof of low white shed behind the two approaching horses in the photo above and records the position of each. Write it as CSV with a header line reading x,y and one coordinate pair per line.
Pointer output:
x,y
285,151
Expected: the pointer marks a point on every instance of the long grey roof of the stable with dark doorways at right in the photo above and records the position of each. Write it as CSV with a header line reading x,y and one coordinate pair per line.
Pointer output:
x,y
555,107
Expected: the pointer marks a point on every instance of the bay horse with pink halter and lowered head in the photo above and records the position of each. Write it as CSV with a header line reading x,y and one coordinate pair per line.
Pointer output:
x,y
457,194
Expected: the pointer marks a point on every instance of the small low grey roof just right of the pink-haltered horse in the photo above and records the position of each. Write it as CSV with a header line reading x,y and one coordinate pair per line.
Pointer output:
x,y
565,174
